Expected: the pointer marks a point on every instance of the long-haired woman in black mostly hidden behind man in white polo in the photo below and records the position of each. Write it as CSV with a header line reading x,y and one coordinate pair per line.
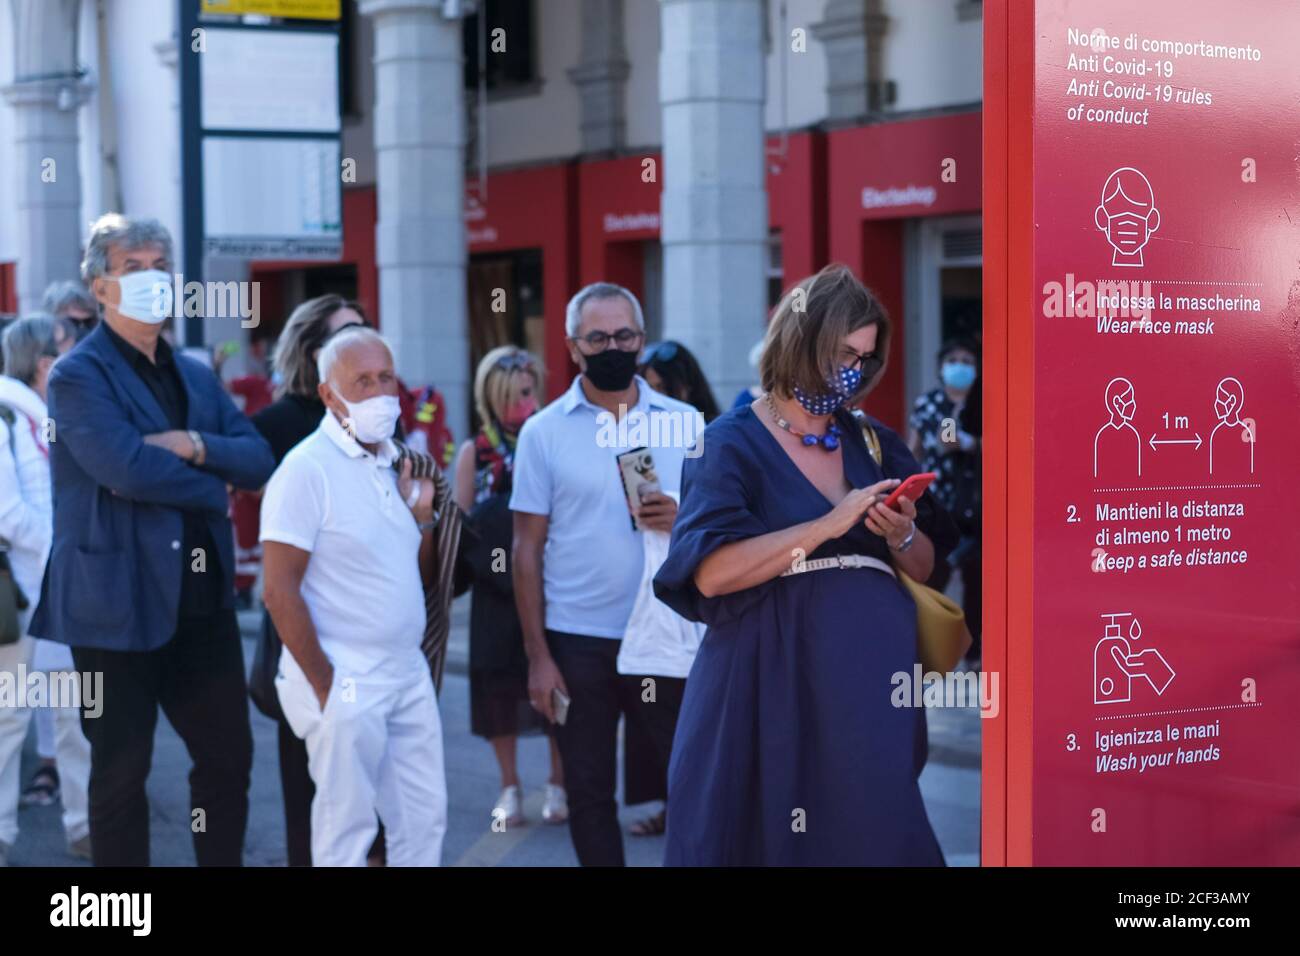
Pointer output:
x,y
284,423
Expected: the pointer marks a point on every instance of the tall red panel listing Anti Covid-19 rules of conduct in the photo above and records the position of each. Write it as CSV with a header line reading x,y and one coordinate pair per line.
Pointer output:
x,y
1152,259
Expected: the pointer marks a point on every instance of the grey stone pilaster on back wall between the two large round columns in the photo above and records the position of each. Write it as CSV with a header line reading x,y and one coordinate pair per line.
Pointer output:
x,y
603,76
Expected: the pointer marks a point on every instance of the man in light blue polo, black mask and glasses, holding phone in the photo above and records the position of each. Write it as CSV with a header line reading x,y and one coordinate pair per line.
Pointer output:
x,y
578,559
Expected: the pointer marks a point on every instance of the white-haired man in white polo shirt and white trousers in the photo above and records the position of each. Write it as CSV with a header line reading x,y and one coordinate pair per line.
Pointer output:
x,y
343,535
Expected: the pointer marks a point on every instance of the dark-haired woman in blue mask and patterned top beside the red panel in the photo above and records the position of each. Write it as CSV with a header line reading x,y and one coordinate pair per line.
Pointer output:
x,y
946,447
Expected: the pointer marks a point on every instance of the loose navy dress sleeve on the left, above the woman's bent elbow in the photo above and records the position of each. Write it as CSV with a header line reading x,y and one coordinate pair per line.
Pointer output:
x,y
718,499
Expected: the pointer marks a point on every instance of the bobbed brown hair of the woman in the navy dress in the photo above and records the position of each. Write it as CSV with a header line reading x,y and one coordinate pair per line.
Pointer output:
x,y
808,332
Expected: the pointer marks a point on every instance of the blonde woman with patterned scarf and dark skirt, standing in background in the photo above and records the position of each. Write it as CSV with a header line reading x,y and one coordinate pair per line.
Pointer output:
x,y
508,390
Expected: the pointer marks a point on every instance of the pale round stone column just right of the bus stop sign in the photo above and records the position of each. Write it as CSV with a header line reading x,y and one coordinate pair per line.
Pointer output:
x,y
421,166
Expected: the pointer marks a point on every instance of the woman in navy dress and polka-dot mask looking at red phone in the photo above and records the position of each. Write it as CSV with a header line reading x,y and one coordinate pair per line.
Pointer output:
x,y
788,750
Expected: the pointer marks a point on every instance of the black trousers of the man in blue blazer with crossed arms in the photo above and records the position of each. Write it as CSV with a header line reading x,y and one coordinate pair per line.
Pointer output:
x,y
198,680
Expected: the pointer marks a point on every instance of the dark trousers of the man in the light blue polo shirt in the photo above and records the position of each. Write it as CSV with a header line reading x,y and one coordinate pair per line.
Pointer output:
x,y
590,741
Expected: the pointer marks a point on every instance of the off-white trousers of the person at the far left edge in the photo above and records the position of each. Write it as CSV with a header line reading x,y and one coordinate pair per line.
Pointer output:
x,y
71,751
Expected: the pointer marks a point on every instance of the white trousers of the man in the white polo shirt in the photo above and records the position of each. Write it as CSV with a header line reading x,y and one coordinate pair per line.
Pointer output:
x,y
374,750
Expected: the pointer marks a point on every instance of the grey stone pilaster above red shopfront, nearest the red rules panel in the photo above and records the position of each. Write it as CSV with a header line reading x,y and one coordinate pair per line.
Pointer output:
x,y
852,33
